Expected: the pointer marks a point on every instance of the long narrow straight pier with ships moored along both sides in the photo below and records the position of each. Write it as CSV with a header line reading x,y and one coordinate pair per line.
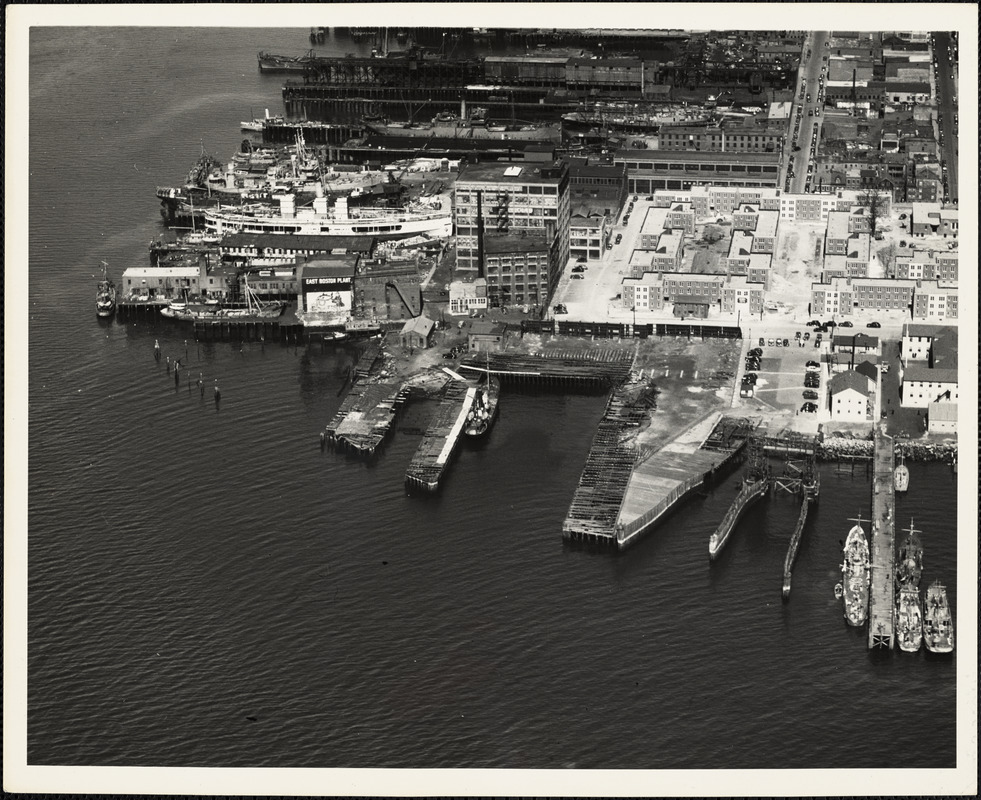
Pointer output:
x,y
882,592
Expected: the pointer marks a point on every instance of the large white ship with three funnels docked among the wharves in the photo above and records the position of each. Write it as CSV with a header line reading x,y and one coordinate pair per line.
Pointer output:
x,y
322,220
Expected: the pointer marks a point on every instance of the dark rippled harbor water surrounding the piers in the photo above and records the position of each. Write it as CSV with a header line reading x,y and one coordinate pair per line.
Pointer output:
x,y
207,587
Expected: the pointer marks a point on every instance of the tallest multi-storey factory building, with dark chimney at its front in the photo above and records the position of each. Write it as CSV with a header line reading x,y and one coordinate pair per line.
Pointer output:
x,y
508,199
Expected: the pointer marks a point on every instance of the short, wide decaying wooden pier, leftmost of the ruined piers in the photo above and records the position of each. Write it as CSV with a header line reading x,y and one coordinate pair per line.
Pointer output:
x,y
365,417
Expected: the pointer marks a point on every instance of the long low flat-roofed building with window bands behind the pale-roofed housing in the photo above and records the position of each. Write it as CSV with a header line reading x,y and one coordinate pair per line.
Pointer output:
x,y
650,171
